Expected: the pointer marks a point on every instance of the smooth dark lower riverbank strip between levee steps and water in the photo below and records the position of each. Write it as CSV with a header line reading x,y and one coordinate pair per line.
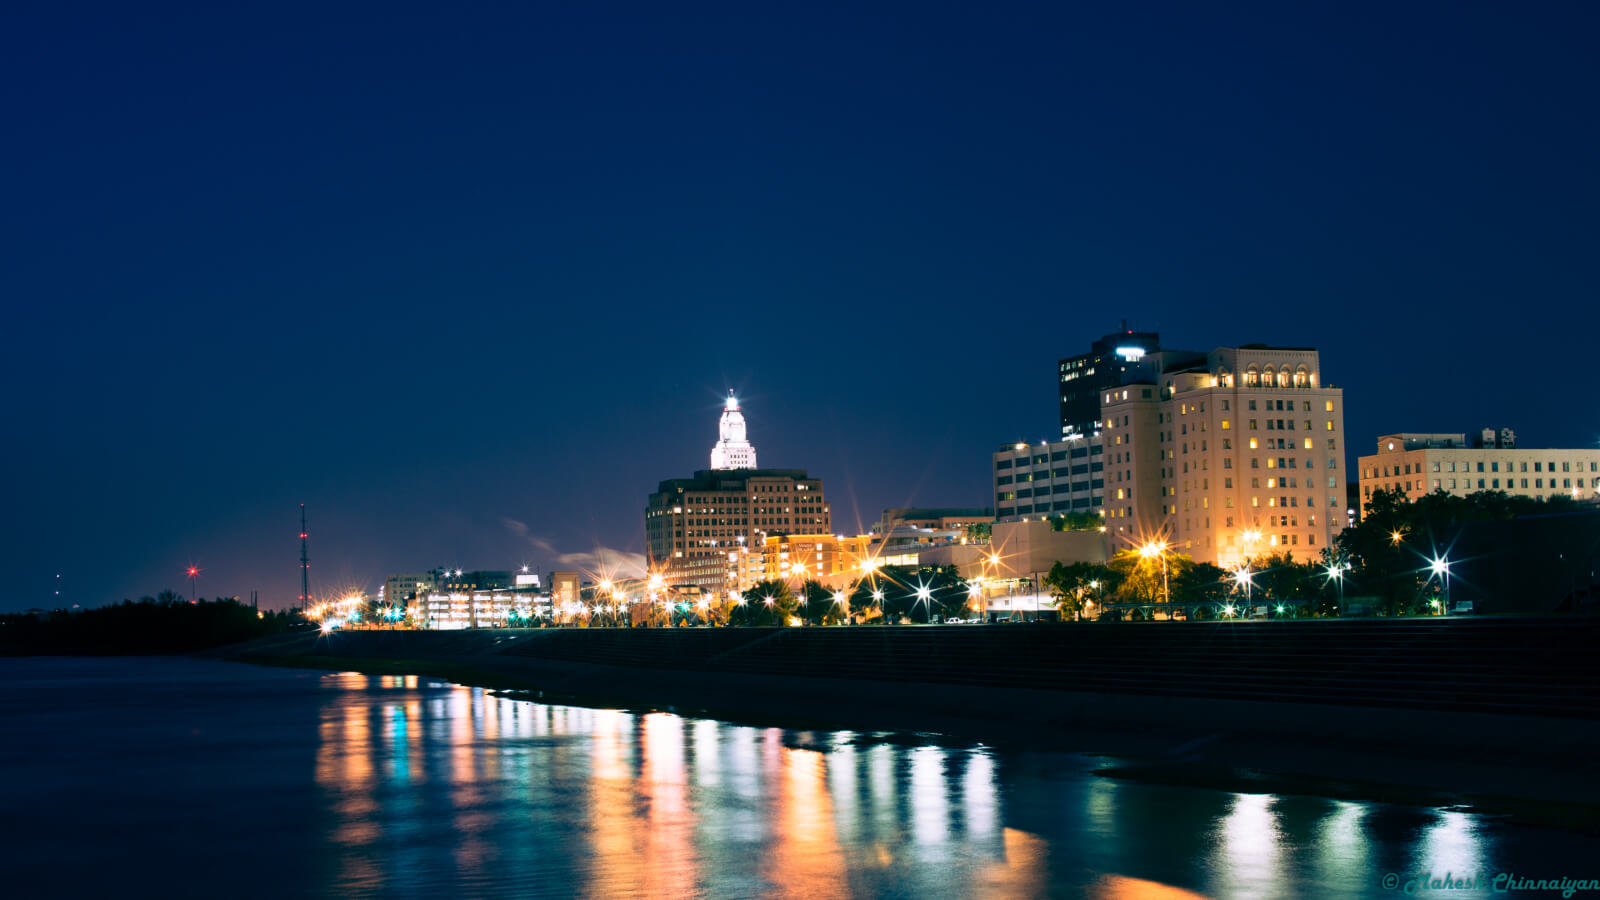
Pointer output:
x,y
1534,768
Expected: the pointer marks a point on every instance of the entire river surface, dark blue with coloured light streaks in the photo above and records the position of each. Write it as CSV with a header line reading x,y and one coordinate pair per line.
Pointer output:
x,y
198,779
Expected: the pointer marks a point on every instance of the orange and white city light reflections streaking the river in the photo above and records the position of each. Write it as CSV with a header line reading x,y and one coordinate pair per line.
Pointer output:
x,y
441,789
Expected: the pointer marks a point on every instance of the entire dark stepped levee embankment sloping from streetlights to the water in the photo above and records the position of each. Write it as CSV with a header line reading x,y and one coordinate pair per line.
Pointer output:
x,y
1503,709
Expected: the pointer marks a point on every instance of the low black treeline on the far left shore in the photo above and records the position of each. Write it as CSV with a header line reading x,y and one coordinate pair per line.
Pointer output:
x,y
154,625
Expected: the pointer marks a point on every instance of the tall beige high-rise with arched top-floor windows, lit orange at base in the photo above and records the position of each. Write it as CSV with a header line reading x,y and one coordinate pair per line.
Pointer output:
x,y
1226,456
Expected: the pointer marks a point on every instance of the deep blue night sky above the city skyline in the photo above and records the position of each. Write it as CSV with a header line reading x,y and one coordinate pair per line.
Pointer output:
x,y
434,271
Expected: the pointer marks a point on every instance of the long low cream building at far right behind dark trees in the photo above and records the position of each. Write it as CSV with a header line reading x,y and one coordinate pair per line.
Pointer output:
x,y
1417,465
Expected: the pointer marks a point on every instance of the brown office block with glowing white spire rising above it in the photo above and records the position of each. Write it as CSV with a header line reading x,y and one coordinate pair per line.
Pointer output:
x,y
700,531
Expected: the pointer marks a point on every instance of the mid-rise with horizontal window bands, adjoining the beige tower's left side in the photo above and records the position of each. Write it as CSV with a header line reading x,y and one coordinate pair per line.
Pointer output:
x,y
1049,480
